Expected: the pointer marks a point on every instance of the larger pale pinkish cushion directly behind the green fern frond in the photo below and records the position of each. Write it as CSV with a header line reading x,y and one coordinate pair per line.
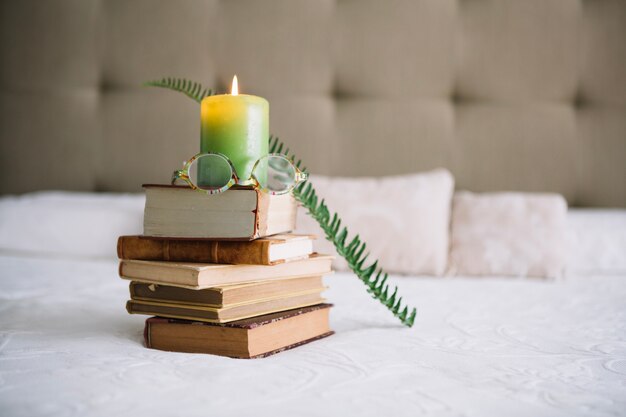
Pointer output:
x,y
403,219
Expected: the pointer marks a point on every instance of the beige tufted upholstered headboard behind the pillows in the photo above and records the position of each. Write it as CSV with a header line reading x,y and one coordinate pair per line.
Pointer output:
x,y
507,94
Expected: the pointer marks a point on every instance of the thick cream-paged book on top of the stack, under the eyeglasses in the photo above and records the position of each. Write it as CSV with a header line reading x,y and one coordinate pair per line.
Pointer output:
x,y
240,213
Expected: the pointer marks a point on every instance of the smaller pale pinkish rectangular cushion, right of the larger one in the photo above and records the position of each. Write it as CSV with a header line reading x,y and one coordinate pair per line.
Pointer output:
x,y
510,234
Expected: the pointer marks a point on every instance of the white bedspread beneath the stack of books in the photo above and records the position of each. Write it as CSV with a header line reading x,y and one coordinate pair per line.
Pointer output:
x,y
480,347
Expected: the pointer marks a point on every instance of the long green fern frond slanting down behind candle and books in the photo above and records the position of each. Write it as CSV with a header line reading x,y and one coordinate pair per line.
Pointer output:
x,y
353,251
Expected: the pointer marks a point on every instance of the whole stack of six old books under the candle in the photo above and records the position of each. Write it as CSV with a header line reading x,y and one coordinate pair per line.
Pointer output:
x,y
223,274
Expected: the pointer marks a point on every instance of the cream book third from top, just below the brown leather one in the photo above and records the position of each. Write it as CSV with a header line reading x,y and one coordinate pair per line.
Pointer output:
x,y
203,275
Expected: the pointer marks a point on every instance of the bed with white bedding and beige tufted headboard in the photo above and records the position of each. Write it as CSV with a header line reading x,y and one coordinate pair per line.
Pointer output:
x,y
519,95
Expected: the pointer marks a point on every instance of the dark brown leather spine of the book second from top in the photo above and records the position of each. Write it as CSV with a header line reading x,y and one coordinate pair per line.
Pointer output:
x,y
222,252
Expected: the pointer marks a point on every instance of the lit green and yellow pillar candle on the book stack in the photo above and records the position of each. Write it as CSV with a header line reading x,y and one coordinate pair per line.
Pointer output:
x,y
236,125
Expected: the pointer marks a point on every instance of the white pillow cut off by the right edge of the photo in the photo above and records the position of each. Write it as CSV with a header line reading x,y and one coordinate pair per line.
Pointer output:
x,y
597,241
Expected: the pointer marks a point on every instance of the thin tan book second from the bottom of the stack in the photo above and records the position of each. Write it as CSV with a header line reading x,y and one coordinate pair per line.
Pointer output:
x,y
228,313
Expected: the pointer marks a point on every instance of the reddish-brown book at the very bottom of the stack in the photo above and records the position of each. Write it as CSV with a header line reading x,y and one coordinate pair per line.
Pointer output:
x,y
250,338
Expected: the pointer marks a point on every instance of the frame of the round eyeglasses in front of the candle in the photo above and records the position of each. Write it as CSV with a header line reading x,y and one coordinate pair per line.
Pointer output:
x,y
183,174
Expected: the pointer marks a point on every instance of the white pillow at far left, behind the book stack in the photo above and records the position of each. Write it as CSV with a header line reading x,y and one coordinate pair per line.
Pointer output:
x,y
69,224
